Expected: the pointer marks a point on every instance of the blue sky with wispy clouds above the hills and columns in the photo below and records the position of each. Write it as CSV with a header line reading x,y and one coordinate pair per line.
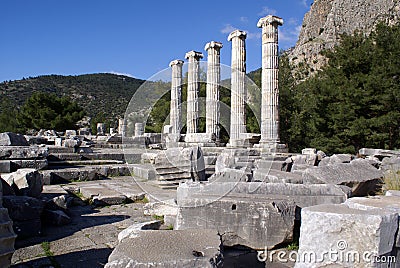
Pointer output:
x,y
138,38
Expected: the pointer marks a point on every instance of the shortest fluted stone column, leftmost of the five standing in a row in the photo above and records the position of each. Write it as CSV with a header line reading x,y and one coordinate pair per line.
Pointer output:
x,y
176,97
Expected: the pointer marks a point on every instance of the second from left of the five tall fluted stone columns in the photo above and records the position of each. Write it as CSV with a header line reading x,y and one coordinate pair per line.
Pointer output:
x,y
193,91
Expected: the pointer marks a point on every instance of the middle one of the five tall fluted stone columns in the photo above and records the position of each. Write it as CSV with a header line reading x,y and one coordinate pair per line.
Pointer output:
x,y
212,88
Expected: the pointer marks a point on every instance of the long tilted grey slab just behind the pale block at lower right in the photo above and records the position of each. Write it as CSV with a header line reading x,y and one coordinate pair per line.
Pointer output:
x,y
363,178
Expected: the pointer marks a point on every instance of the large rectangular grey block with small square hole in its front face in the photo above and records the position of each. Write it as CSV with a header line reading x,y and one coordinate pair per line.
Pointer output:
x,y
253,223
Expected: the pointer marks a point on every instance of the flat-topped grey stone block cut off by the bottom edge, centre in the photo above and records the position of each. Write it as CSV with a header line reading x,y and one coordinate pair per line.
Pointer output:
x,y
169,249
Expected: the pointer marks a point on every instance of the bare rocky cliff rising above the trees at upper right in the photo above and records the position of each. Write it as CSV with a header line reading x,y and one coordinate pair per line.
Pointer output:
x,y
327,20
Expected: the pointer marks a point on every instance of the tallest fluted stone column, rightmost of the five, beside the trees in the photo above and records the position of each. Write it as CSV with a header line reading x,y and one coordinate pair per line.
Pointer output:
x,y
269,80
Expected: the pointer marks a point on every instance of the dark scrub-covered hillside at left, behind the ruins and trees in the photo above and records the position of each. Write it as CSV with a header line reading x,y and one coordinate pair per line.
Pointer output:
x,y
96,93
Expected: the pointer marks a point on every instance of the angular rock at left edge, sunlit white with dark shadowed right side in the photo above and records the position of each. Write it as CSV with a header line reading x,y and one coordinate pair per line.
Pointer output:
x,y
28,182
